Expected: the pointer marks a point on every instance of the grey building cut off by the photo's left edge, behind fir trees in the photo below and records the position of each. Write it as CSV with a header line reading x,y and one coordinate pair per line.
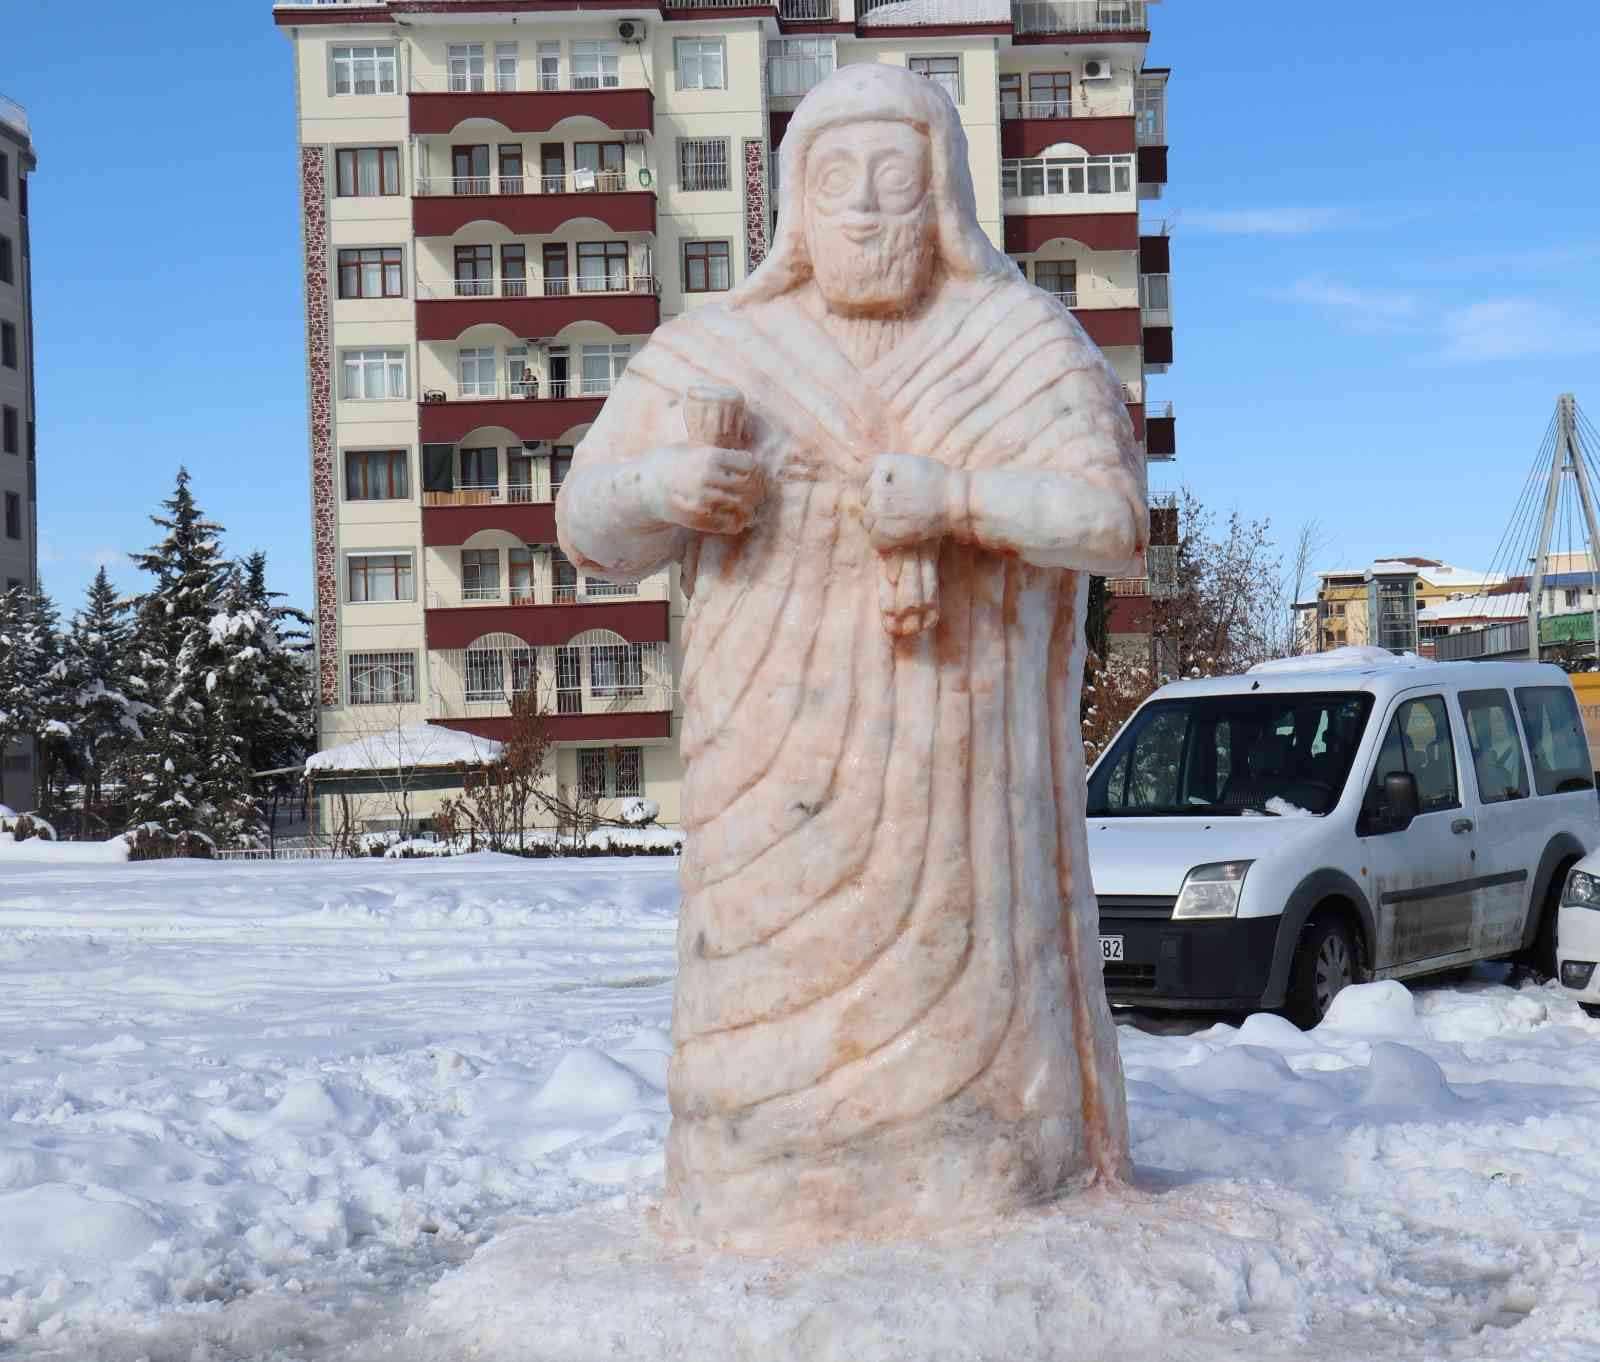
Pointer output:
x,y
18,483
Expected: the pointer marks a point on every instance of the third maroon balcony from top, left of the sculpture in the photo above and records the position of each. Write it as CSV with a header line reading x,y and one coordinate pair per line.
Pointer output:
x,y
630,305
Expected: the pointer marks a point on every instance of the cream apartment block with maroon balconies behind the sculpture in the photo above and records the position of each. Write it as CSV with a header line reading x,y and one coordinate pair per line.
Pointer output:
x,y
505,198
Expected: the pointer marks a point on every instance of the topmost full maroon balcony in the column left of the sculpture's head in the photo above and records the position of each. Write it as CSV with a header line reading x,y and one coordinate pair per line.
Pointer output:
x,y
452,102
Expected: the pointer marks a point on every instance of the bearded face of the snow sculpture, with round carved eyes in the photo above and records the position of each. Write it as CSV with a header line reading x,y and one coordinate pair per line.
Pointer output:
x,y
870,218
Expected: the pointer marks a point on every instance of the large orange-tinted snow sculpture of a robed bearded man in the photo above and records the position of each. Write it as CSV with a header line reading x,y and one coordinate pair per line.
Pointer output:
x,y
884,467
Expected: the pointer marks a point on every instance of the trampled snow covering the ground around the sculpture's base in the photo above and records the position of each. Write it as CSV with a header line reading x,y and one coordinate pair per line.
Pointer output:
x,y
414,1110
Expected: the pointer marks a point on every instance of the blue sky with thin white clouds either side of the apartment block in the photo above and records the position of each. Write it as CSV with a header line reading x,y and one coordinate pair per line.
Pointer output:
x,y
1386,249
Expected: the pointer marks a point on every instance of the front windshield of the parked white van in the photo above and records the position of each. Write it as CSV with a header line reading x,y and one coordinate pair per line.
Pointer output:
x,y
1233,755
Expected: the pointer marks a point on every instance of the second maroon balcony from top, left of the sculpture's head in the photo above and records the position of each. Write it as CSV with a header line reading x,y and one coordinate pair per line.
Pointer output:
x,y
530,204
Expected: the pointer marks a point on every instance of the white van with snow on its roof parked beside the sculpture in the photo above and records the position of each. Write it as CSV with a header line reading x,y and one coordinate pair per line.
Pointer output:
x,y
1263,841
